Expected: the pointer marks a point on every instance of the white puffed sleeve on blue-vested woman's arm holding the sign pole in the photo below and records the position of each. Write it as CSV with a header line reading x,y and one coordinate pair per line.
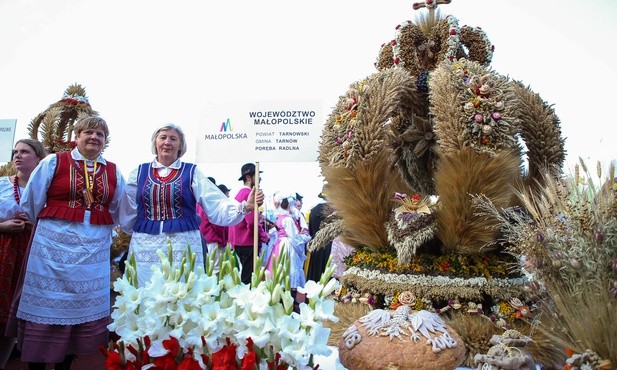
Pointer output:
x,y
220,209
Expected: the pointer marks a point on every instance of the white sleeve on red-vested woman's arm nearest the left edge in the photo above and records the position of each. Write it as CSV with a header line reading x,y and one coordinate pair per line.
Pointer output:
x,y
34,197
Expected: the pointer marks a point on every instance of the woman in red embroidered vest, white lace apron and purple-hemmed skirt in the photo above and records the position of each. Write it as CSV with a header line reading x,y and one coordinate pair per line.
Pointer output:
x,y
64,302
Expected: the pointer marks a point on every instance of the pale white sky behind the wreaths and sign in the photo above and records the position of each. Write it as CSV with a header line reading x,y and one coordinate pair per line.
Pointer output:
x,y
145,63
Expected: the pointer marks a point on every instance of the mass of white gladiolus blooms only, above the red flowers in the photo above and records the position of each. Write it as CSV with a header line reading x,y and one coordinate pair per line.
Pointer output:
x,y
196,308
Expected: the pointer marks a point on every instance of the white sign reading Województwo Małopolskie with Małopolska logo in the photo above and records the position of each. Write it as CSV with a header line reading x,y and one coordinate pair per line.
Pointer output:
x,y
260,131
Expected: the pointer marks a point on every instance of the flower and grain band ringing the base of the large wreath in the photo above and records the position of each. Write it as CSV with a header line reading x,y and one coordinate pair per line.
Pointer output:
x,y
438,278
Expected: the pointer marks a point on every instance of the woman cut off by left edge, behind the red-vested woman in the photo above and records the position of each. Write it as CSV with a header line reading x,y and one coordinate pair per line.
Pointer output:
x,y
15,230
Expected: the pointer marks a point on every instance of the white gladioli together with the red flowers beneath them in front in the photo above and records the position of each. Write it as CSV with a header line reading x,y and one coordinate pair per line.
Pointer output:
x,y
187,318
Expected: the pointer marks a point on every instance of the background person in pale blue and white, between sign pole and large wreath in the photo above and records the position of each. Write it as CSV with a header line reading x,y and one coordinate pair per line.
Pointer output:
x,y
293,241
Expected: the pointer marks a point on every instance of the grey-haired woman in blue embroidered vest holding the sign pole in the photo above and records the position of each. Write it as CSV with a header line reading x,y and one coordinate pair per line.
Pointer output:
x,y
161,200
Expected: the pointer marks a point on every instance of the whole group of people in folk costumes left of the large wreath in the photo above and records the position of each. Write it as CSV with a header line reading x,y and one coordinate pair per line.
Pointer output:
x,y
58,214
